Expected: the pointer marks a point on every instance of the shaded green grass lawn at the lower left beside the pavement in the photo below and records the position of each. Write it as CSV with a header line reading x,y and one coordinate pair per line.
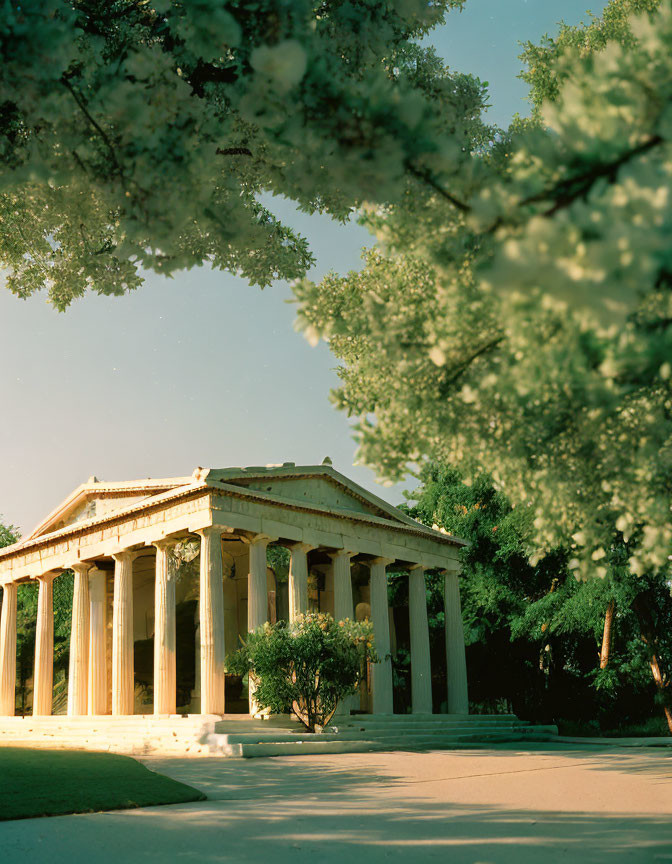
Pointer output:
x,y
52,782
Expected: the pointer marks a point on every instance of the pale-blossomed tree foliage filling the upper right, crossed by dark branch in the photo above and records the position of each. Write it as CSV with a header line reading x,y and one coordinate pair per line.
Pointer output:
x,y
516,317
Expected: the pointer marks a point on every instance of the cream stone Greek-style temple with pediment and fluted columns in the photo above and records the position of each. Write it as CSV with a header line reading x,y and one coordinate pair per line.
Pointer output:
x,y
170,574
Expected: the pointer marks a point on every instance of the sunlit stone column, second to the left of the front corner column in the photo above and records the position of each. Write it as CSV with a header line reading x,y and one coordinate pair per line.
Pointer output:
x,y
123,678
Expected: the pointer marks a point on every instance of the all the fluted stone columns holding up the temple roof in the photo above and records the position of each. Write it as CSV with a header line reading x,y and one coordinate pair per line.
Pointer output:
x,y
87,683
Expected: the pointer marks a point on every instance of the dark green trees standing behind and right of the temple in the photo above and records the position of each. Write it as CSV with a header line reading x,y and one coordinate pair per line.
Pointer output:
x,y
533,632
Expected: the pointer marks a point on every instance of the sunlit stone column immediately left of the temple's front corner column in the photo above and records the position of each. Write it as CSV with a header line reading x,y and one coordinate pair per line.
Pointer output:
x,y
165,679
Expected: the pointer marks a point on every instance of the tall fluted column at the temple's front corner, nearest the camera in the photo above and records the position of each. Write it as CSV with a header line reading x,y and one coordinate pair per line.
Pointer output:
x,y
211,608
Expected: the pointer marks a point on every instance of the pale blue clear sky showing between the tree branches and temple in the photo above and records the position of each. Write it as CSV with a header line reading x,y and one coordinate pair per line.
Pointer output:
x,y
202,369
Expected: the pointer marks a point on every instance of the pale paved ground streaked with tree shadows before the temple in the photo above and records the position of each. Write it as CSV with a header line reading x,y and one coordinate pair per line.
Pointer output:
x,y
543,803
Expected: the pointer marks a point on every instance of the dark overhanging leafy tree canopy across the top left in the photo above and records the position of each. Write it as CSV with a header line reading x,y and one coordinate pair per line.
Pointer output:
x,y
138,134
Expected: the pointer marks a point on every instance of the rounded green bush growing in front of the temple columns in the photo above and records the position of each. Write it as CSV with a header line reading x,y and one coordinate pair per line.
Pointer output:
x,y
306,667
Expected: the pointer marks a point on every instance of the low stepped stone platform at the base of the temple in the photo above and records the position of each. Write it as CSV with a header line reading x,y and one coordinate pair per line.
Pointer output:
x,y
242,736
